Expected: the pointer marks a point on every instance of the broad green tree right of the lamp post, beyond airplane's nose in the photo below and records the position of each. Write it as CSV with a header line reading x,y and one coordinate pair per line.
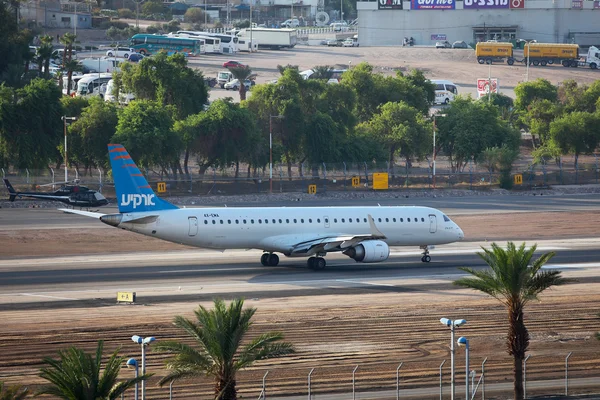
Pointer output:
x,y
469,128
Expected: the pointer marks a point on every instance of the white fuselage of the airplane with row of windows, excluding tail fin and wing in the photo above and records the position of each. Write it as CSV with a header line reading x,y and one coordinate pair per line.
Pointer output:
x,y
275,228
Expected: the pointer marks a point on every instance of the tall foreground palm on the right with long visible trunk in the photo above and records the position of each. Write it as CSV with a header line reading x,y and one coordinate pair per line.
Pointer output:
x,y
513,280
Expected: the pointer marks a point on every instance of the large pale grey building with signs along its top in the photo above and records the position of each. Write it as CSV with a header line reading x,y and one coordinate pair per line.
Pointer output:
x,y
388,22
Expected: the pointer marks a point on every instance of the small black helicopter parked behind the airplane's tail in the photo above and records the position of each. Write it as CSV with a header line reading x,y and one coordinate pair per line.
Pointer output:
x,y
73,195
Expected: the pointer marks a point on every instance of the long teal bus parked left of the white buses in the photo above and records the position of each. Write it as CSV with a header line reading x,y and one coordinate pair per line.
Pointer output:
x,y
147,44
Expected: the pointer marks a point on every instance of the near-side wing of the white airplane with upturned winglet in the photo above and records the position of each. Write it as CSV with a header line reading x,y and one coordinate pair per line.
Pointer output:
x,y
323,243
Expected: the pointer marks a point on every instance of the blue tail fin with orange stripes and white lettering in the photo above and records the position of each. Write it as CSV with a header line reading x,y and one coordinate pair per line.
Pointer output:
x,y
133,192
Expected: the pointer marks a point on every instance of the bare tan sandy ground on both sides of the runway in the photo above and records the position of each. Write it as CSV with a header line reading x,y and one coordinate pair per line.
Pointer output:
x,y
333,333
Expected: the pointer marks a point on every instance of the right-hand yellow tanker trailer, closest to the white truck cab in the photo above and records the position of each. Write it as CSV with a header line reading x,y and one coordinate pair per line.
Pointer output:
x,y
550,53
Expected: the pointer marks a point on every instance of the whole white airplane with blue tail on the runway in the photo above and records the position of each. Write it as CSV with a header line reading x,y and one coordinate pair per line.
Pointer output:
x,y
364,234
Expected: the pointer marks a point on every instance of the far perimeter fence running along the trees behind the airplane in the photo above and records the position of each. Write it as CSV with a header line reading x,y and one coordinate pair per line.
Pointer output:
x,y
326,177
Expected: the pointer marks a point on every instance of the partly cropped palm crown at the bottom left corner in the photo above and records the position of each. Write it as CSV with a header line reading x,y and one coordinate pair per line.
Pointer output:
x,y
76,376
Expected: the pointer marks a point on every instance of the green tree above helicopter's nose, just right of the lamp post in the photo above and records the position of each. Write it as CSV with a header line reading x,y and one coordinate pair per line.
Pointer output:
x,y
94,129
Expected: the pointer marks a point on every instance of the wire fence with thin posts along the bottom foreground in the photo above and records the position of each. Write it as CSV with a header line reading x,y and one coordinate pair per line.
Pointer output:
x,y
556,375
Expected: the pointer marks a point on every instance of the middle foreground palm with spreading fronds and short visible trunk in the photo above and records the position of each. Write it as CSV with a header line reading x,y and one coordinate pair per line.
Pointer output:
x,y
219,334
